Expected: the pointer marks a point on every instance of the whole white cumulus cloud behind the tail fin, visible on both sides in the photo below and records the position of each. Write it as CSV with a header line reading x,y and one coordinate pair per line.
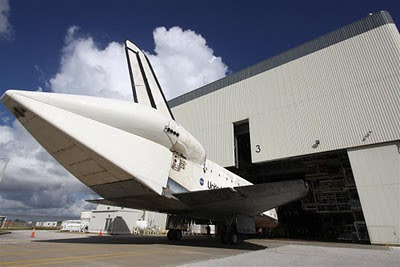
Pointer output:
x,y
182,62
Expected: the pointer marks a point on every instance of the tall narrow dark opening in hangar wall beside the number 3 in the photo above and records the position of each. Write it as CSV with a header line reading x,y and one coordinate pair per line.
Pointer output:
x,y
241,132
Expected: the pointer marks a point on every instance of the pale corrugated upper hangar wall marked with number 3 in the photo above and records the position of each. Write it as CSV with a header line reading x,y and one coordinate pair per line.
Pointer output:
x,y
336,95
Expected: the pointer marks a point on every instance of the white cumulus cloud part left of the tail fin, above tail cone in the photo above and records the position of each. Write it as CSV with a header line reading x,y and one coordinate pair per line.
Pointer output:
x,y
86,69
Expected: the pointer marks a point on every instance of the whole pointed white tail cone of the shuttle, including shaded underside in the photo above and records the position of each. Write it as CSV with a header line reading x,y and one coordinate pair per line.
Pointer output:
x,y
93,138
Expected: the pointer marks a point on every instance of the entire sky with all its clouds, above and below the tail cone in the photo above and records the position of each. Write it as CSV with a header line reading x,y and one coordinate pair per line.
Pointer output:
x,y
68,46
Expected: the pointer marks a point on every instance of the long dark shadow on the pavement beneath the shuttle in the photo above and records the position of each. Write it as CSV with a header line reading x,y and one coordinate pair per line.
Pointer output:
x,y
192,241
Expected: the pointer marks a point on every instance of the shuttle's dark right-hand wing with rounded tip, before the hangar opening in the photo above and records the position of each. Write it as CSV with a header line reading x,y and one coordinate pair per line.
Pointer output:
x,y
247,200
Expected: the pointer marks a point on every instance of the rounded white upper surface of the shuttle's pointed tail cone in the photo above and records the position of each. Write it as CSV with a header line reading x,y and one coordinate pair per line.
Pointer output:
x,y
127,116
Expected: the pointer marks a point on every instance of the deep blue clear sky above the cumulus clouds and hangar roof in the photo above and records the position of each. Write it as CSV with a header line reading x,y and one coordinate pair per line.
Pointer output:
x,y
240,32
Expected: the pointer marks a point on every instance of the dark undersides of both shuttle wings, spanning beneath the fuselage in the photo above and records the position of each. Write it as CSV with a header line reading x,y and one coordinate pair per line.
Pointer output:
x,y
214,204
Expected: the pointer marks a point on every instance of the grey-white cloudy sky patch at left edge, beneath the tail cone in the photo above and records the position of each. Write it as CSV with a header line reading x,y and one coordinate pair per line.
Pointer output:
x,y
33,182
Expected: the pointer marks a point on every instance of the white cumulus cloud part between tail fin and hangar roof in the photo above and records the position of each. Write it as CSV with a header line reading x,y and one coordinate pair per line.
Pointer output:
x,y
183,61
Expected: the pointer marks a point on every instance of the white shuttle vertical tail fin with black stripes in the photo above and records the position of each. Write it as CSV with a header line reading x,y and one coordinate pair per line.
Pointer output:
x,y
145,86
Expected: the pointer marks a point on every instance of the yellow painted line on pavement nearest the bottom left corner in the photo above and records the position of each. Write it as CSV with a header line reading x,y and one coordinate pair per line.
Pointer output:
x,y
72,258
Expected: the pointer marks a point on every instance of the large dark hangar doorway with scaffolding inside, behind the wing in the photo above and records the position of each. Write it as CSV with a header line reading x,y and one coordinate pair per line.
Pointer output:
x,y
332,209
